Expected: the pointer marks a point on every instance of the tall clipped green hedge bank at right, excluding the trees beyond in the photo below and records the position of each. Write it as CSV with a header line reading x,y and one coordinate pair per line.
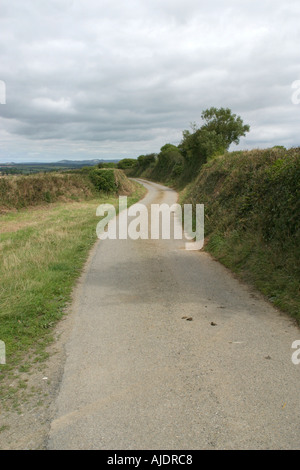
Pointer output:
x,y
252,219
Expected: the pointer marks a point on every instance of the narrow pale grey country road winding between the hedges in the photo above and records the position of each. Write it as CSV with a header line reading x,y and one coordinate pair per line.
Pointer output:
x,y
169,351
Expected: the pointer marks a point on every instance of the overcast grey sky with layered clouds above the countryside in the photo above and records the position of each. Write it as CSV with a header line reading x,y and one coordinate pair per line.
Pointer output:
x,y
111,79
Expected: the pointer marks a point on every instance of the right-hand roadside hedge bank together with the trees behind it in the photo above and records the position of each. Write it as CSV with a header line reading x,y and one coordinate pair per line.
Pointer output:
x,y
252,201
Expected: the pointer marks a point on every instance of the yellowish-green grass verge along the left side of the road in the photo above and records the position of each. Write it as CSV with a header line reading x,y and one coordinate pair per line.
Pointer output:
x,y
42,252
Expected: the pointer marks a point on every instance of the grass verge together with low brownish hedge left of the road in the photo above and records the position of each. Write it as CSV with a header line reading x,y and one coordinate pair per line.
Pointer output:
x,y
42,253
